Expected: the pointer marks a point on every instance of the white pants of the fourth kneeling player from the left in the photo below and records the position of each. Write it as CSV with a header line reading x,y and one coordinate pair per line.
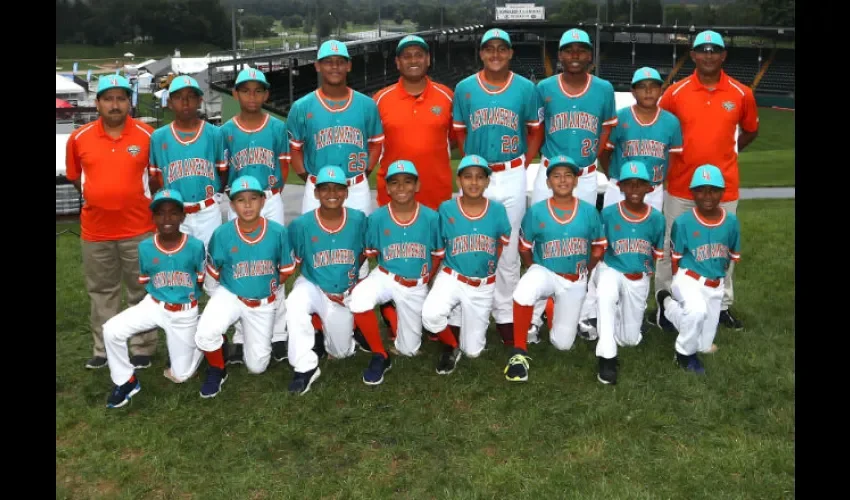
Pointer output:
x,y
378,289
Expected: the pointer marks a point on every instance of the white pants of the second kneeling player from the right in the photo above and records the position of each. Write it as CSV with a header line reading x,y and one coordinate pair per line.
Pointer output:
x,y
620,309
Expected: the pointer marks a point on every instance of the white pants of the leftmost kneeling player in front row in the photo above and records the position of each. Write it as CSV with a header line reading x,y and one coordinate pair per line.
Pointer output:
x,y
179,326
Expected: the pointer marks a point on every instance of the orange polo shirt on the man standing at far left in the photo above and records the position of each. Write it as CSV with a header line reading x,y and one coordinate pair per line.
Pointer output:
x,y
114,180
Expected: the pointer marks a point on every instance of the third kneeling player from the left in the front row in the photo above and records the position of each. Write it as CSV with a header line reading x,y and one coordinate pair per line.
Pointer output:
x,y
328,244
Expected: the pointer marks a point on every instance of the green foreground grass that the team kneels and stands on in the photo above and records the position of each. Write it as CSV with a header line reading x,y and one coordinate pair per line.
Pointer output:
x,y
659,433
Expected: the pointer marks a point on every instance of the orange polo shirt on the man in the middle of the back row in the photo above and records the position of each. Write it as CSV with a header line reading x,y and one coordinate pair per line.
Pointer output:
x,y
418,128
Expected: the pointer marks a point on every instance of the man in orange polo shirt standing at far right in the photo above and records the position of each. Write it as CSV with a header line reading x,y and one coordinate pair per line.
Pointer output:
x,y
710,106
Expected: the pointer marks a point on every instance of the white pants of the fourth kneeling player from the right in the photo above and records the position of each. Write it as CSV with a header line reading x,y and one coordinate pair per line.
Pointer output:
x,y
447,297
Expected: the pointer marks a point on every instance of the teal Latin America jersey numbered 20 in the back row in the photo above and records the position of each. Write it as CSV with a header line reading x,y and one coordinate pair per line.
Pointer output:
x,y
495,120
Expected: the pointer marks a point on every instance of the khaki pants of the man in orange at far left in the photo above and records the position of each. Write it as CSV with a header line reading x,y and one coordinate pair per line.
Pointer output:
x,y
105,265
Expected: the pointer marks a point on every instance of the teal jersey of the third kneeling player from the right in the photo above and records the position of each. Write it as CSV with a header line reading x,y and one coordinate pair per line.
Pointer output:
x,y
561,240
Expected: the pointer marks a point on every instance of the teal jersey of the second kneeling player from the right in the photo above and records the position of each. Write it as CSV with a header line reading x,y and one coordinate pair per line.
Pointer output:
x,y
633,242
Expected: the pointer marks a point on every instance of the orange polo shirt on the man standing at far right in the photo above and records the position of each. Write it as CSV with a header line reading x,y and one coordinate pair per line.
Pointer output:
x,y
709,119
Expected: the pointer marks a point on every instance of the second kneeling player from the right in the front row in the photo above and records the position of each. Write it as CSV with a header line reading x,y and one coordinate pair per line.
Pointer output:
x,y
634,239
